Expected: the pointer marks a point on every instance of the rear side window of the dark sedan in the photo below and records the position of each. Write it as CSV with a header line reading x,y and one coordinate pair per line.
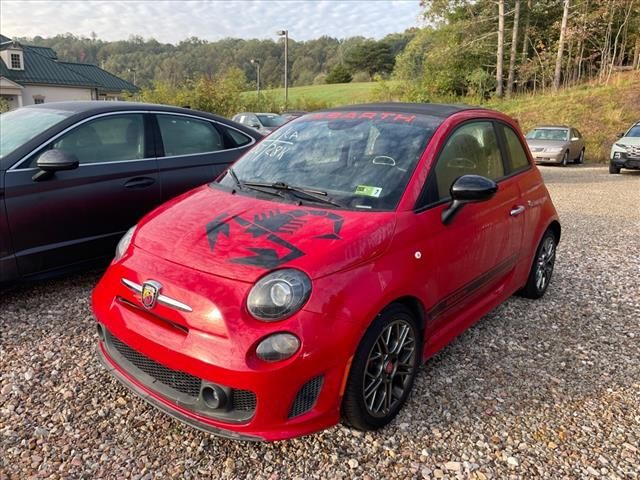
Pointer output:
x,y
187,135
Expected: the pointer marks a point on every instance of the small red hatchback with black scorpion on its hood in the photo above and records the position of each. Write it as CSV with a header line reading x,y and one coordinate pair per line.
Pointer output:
x,y
309,282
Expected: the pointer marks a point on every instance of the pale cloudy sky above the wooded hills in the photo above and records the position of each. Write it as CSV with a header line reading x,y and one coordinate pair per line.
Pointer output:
x,y
170,21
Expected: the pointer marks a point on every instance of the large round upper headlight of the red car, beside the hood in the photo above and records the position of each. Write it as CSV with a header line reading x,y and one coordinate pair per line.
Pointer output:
x,y
279,295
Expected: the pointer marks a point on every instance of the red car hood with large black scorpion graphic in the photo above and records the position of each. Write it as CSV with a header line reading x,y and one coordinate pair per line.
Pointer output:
x,y
241,237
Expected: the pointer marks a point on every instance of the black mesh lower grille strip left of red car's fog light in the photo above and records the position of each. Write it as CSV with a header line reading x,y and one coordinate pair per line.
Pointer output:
x,y
180,381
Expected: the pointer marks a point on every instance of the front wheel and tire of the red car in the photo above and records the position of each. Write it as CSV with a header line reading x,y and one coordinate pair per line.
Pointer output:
x,y
383,369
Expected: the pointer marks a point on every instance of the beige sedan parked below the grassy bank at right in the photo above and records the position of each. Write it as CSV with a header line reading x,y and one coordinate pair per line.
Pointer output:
x,y
556,144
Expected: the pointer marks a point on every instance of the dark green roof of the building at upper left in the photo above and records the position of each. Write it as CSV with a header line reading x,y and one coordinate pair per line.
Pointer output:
x,y
42,67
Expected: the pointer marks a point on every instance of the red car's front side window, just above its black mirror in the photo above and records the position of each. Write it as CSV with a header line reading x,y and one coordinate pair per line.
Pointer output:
x,y
472,149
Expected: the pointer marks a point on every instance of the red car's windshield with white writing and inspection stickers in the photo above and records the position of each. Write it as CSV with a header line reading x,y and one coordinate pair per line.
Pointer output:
x,y
360,159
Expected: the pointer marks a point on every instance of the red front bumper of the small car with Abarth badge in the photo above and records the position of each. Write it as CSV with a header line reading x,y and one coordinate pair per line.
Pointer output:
x,y
187,344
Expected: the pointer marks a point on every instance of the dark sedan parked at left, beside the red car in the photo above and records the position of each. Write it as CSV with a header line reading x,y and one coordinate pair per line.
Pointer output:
x,y
75,176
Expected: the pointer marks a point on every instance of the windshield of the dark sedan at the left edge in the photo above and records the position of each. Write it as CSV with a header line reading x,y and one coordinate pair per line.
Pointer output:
x,y
19,126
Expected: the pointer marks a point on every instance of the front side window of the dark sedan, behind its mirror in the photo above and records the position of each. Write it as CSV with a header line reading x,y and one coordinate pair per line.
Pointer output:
x,y
112,138
